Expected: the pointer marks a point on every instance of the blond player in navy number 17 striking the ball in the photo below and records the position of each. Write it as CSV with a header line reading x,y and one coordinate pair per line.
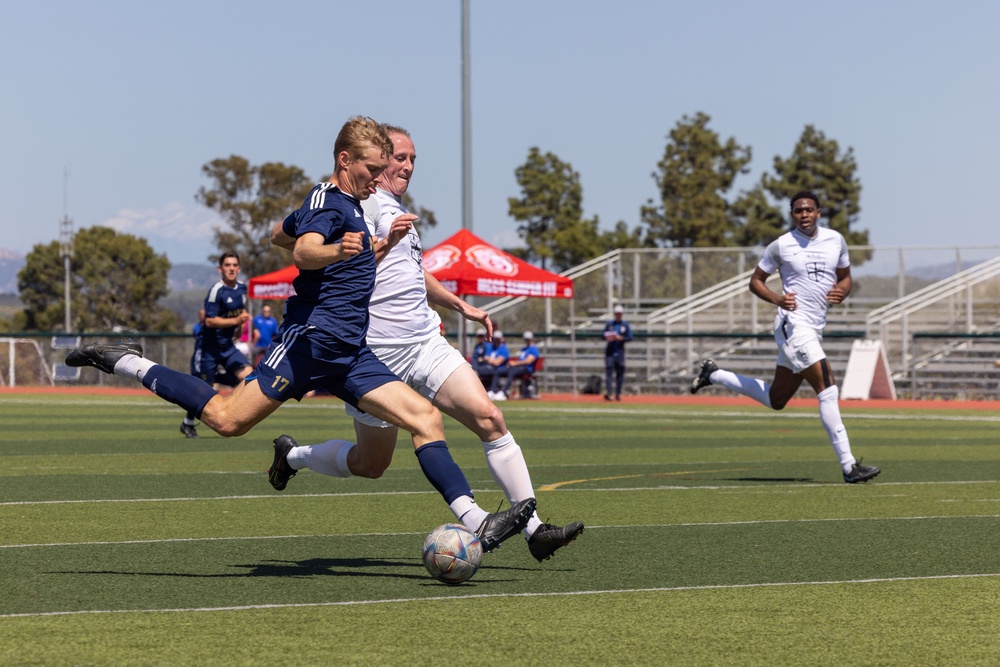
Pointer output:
x,y
321,342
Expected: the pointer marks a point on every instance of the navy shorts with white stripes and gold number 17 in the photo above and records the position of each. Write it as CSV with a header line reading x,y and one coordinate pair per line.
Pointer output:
x,y
302,359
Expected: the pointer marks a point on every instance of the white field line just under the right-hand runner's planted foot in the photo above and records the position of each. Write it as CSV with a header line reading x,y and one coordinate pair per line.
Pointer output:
x,y
285,496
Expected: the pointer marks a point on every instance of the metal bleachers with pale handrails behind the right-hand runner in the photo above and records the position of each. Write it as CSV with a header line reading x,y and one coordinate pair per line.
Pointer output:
x,y
941,340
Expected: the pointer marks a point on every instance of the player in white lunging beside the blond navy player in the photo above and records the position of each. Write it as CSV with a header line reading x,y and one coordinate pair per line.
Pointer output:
x,y
404,332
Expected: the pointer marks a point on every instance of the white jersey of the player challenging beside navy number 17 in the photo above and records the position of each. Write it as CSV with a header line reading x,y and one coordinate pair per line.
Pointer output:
x,y
399,310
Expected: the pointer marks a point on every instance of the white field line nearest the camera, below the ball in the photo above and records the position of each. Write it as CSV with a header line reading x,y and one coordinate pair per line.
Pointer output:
x,y
482,596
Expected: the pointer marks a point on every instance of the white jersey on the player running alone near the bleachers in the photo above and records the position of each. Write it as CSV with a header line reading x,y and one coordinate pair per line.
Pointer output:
x,y
807,266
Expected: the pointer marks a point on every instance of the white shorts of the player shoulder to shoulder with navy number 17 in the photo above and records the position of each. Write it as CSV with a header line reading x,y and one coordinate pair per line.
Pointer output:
x,y
424,366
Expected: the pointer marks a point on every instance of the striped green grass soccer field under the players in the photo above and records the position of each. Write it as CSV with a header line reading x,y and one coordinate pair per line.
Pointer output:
x,y
715,535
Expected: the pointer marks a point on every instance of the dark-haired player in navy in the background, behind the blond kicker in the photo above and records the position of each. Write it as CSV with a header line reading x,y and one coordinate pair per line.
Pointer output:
x,y
221,362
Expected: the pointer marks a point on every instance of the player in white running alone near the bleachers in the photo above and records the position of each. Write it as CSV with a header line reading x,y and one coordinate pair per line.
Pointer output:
x,y
815,272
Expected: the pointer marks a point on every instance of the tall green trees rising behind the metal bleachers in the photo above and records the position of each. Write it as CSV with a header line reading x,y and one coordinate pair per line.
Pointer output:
x,y
696,206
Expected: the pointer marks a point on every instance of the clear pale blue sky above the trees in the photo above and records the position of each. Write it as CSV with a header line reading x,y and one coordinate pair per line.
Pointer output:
x,y
132,97
